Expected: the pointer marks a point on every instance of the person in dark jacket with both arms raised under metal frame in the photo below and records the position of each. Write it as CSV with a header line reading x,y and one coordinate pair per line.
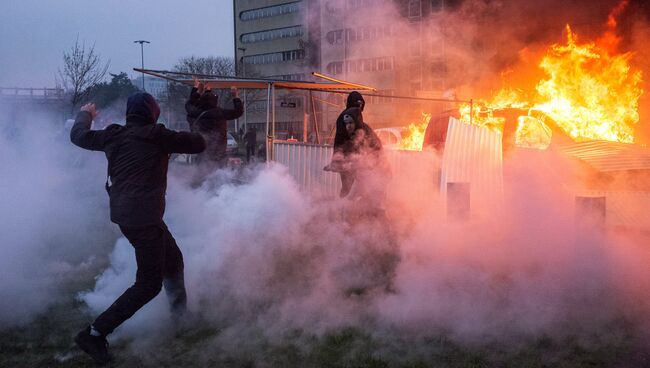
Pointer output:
x,y
206,117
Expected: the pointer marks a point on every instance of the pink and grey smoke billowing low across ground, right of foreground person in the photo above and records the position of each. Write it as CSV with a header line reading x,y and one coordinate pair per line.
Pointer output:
x,y
264,260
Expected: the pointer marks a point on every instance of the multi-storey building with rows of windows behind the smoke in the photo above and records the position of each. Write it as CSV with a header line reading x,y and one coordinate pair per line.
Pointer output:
x,y
393,45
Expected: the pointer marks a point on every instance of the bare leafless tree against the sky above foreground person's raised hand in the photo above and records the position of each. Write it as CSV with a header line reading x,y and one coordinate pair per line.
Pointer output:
x,y
82,69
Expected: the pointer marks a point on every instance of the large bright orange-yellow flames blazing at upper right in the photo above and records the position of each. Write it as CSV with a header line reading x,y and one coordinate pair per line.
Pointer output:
x,y
589,91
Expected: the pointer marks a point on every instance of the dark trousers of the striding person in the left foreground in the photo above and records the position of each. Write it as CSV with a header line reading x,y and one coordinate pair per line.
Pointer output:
x,y
160,262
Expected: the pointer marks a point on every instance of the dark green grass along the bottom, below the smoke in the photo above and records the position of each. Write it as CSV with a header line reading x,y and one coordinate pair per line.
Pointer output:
x,y
48,338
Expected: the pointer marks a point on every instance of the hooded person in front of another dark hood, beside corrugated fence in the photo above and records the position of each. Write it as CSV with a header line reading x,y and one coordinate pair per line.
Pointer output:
x,y
358,157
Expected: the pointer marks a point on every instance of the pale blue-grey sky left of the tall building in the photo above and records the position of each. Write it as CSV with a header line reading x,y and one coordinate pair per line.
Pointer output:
x,y
35,33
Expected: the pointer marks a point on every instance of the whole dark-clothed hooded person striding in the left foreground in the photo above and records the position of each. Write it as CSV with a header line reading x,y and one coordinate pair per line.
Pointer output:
x,y
138,157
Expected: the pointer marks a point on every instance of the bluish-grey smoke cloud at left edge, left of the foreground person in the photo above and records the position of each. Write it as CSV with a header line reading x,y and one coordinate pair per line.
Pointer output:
x,y
53,224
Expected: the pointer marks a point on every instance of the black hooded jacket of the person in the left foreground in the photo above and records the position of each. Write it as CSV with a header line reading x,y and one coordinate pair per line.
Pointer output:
x,y
138,156
